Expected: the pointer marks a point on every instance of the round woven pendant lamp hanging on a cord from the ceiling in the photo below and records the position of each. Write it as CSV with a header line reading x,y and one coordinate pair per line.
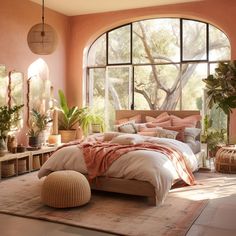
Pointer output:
x,y
42,38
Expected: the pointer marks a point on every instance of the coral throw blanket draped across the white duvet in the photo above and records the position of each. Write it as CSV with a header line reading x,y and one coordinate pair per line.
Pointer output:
x,y
99,157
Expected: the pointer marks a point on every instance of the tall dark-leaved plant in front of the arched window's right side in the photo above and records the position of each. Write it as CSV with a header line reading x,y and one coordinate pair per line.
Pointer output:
x,y
221,88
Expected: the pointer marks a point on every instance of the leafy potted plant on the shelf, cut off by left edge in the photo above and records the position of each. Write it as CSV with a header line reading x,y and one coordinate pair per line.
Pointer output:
x,y
9,119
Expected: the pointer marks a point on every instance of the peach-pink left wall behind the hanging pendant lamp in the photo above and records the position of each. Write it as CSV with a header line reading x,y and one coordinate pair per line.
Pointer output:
x,y
16,18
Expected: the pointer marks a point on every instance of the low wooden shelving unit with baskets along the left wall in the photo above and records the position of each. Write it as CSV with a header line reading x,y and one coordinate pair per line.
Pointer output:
x,y
14,164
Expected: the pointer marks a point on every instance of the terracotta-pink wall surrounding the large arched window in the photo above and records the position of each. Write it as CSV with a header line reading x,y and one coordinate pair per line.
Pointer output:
x,y
86,28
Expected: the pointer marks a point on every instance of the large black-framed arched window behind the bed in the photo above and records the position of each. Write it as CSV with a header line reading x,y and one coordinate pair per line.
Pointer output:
x,y
153,64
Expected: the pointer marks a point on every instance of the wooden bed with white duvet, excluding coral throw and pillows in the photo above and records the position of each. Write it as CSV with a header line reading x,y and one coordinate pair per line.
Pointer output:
x,y
120,177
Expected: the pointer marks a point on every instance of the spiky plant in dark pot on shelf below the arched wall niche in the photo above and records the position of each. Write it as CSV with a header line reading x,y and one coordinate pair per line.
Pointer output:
x,y
37,126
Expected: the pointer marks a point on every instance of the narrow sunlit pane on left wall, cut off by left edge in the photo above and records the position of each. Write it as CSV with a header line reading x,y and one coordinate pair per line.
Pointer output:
x,y
3,86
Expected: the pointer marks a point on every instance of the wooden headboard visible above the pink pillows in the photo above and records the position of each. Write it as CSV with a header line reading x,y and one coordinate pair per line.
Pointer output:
x,y
121,114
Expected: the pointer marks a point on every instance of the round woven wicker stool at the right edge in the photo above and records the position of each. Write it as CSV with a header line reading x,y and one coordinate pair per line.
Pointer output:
x,y
225,160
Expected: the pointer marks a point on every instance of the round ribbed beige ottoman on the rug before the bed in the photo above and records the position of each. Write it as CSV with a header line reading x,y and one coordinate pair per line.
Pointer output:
x,y
67,188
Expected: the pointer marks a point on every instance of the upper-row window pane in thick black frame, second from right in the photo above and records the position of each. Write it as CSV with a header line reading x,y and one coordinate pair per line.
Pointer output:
x,y
194,40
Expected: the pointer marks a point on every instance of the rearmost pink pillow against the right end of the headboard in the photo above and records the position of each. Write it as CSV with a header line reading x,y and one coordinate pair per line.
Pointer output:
x,y
190,121
